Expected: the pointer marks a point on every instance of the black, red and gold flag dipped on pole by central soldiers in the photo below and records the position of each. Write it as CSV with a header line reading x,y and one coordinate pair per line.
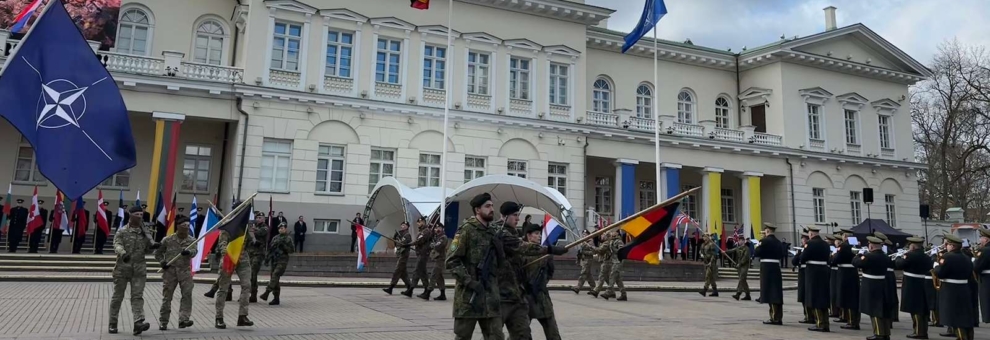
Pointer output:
x,y
648,232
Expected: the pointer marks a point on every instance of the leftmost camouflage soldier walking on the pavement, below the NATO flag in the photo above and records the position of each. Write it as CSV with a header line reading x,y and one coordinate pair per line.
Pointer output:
x,y
131,244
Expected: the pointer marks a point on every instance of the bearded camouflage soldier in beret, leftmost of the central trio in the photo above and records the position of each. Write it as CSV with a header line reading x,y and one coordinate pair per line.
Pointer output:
x,y
473,257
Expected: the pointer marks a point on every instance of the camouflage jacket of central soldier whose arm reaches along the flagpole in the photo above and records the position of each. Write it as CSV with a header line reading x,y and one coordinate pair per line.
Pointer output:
x,y
510,271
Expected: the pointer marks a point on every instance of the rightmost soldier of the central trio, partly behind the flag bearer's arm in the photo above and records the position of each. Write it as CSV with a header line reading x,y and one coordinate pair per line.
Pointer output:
x,y
537,277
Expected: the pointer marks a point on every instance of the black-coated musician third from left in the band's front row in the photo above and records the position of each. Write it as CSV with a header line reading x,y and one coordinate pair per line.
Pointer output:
x,y
849,290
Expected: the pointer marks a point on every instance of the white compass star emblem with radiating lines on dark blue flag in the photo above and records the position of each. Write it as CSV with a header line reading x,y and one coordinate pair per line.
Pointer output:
x,y
62,103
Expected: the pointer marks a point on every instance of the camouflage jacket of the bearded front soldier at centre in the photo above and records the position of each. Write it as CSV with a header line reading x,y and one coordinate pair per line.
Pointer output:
x,y
472,257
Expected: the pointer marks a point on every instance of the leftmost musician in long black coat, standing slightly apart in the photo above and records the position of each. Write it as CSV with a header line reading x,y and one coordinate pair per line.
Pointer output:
x,y
771,252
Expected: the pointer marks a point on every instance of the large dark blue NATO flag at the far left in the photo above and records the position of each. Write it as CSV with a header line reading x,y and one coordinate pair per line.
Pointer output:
x,y
64,102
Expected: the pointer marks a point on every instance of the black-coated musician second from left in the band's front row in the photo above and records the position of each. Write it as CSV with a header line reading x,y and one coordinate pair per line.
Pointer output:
x,y
815,257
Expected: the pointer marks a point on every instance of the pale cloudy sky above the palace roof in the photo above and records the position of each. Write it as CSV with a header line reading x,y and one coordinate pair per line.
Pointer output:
x,y
915,26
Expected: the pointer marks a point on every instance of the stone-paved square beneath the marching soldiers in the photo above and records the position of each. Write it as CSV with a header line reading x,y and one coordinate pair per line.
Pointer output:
x,y
79,311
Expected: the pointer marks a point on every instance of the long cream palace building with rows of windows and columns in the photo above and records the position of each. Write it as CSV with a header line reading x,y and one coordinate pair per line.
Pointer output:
x,y
311,102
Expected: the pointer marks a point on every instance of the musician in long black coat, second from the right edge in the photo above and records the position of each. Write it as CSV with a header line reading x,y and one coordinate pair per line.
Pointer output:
x,y
954,271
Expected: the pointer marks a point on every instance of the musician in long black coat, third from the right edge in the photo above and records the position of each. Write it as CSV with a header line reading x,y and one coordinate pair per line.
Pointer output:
x,y
916,266
